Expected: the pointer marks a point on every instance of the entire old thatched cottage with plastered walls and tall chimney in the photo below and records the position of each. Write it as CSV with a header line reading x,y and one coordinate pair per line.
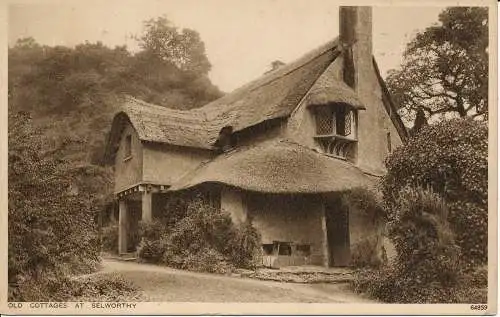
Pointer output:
x,y
277,151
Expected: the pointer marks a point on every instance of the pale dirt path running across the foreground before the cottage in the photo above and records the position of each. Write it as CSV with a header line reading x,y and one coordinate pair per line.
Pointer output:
x,y
167,285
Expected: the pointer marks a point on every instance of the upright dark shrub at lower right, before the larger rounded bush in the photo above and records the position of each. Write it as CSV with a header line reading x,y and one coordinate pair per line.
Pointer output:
x,y
426,269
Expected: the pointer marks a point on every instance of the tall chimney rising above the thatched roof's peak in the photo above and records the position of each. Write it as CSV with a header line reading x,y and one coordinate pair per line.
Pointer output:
x,y
356,44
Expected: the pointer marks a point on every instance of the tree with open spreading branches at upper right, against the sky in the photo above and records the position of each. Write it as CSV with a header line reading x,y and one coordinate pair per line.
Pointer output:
x,y
445,68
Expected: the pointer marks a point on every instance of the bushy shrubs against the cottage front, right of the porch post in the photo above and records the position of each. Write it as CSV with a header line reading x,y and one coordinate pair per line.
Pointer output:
x,y
204,239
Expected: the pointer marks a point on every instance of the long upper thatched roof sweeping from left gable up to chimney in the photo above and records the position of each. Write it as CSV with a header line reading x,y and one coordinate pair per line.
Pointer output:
x,y
276,94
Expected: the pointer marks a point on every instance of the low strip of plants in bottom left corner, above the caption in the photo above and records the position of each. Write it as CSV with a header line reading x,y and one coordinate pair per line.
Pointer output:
x,y
99,287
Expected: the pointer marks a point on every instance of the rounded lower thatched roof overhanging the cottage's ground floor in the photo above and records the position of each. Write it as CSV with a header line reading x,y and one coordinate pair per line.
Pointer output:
x,y
277,167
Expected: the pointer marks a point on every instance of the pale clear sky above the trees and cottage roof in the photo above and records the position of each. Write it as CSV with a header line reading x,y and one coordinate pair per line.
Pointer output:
x,y
241,38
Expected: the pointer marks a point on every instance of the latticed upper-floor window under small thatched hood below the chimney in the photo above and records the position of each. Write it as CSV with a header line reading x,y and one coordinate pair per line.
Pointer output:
x,y
336,129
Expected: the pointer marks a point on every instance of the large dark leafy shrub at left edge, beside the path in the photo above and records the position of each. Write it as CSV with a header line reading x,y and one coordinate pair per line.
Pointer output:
x,y
49,226
